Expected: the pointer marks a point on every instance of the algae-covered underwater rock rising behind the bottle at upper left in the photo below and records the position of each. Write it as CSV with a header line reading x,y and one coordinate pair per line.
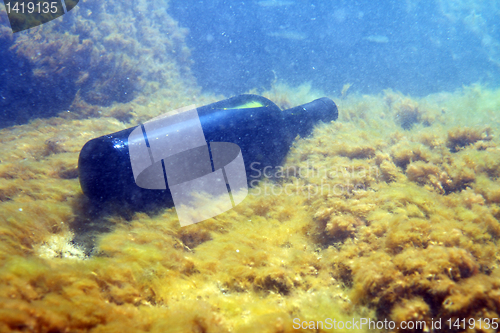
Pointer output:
x,y
92,56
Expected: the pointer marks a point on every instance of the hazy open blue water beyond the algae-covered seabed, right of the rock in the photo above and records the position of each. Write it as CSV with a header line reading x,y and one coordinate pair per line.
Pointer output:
x,y
416,47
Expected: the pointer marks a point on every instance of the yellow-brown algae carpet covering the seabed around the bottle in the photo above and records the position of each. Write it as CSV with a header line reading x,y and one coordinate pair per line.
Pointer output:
x,y
374,219
